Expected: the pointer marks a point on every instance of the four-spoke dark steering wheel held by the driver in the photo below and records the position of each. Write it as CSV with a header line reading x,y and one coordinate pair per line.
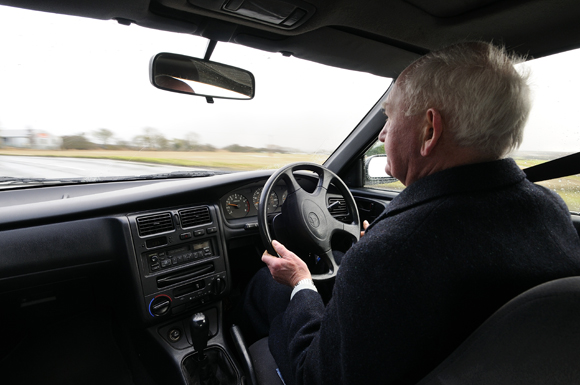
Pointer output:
x,y
305,222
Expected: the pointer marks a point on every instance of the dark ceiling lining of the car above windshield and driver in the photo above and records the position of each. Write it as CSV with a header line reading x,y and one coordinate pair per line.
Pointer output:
x,y
376,36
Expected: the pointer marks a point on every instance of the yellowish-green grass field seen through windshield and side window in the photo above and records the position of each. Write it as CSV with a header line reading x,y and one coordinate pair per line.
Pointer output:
x,y
568,188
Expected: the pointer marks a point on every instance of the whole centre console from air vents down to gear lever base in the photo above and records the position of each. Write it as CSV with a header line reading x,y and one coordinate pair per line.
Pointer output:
x,y
181,271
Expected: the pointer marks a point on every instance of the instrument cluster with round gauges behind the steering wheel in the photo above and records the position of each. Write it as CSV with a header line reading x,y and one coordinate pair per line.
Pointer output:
x,y
245,201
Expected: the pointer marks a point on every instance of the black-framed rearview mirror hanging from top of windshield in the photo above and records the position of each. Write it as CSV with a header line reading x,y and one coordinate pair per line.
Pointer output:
x,y
189,75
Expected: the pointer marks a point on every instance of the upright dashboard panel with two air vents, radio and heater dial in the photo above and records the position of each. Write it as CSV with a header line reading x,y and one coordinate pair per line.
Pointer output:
x,y
180,259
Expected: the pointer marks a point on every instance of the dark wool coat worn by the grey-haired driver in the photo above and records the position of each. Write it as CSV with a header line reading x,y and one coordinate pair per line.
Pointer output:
x,y
447,252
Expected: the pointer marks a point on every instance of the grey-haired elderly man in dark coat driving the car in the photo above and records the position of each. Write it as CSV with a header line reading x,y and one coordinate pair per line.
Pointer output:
x,y
468,233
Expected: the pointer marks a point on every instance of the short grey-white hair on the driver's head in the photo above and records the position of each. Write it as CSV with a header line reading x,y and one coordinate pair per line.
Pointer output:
x,y
483,100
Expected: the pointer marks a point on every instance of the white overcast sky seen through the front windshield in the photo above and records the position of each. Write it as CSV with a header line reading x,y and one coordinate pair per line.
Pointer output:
x,y
105,84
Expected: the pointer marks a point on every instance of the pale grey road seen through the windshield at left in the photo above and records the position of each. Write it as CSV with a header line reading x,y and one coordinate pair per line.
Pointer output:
x,y
49,167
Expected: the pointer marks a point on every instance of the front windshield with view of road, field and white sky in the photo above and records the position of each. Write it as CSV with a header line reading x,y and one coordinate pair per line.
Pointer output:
x,y
77,103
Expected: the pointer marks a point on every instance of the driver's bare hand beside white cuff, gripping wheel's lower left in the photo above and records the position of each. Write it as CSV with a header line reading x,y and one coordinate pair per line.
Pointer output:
x,y
289,269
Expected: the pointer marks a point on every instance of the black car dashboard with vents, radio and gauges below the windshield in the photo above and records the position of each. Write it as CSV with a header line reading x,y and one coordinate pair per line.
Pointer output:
x,y
147,254
